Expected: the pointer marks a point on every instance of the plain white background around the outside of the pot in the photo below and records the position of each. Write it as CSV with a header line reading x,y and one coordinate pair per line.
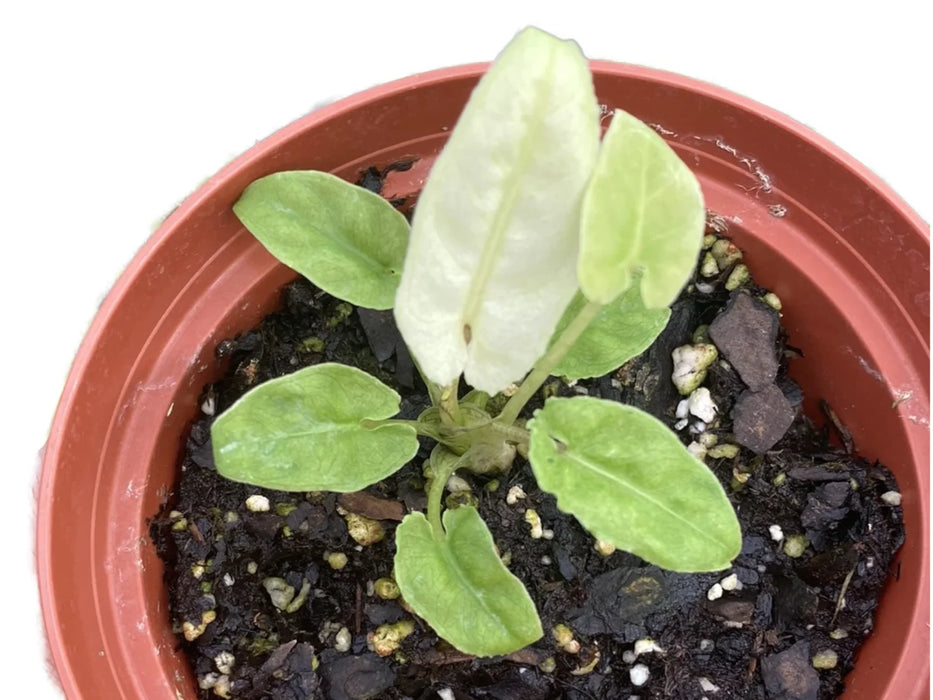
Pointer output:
x,y
114,112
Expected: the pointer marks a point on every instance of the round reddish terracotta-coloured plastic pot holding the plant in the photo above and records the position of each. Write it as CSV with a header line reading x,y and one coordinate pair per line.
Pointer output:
x,y
848,258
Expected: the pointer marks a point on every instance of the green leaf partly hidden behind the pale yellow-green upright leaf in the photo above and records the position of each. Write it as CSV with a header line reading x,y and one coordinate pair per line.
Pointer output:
x,y
623,329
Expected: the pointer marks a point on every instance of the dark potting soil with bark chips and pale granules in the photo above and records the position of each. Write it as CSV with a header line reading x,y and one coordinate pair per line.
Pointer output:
x,y
755,641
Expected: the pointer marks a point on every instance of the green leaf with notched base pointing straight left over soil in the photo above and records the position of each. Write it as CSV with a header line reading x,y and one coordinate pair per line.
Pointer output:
x,y
306,432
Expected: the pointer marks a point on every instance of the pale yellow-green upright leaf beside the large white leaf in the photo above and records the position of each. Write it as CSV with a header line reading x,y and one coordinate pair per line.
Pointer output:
x,y
643,210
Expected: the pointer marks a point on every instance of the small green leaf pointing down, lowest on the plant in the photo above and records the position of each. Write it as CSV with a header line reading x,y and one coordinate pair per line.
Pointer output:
x,y
461,587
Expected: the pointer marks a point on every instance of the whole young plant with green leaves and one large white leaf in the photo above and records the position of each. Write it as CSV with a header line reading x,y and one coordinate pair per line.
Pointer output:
x,y
536,249
